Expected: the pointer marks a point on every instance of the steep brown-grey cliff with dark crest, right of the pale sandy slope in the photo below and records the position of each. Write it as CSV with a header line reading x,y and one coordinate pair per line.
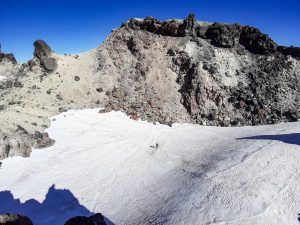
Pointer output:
x,y
211,74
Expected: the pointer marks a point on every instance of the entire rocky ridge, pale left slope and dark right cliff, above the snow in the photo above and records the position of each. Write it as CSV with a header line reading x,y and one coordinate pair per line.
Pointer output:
x,y
161,71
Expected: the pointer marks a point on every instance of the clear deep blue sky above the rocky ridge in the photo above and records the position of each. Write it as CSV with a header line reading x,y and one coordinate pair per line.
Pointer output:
x,y
74,26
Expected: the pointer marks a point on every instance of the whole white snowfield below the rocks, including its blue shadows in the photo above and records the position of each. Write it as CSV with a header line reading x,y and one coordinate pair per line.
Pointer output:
x,y
135,172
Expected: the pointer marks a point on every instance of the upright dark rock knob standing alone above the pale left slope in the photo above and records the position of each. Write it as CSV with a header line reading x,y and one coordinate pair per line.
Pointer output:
x,y
43,52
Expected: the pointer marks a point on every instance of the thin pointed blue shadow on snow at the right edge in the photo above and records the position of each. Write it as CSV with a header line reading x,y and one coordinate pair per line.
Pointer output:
x,y
293,138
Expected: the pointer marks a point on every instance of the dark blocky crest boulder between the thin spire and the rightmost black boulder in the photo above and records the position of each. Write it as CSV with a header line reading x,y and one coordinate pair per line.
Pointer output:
x,y
224,35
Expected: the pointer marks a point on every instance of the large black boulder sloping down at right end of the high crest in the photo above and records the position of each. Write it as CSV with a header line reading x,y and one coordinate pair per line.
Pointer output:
x,y
257,42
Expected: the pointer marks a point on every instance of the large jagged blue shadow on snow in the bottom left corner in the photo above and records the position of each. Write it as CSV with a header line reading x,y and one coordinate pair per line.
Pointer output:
x,y
58,206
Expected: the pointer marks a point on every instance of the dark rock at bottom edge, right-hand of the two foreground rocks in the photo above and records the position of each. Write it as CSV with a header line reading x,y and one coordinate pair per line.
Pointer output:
x,y
96,219
